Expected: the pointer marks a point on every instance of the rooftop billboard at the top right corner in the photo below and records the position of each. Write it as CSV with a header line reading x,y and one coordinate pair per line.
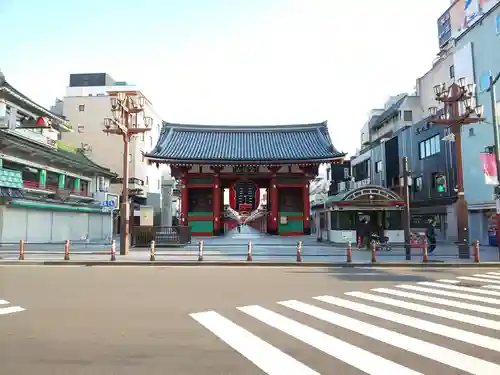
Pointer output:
x,y
462,15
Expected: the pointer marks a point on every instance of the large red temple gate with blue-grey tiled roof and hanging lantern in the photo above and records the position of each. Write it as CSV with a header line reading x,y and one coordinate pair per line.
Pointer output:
x,y
245,159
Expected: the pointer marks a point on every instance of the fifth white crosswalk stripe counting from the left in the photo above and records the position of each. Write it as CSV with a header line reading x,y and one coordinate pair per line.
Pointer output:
x,y
451,315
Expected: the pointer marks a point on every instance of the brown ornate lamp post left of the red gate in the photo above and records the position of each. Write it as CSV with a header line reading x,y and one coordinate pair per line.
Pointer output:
x,y
127,109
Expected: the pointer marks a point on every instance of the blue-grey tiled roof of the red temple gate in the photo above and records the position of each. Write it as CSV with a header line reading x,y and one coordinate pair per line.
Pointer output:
x,y
284,143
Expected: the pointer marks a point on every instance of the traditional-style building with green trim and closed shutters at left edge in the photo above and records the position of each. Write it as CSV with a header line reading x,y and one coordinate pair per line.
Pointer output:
x,y
49,191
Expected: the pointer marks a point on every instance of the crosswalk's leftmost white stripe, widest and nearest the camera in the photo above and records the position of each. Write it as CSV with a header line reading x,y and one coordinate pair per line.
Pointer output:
x,y
265,356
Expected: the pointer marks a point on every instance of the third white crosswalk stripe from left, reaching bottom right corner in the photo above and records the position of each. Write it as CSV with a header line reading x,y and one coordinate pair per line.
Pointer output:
x,y
425,349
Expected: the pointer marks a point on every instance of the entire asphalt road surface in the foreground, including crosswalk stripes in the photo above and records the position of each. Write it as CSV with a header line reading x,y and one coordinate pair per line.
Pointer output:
x,y
248,321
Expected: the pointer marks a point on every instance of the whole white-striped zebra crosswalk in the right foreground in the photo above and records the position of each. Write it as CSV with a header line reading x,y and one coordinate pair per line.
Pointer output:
x,y
453,326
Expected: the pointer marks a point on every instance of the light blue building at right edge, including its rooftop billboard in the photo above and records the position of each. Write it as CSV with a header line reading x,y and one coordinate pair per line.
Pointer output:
x,y
476,57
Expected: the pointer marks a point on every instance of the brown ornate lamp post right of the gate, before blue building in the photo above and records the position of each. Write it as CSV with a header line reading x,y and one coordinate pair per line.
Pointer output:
x,y
459,109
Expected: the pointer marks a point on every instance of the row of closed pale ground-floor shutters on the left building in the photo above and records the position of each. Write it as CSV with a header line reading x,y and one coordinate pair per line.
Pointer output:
x,y
35,225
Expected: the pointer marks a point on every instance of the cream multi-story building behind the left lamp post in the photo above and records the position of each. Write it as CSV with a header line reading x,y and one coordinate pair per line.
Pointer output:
x,y
85,105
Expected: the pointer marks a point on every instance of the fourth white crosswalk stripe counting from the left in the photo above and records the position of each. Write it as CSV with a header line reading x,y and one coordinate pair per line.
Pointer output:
x,y
421,324
